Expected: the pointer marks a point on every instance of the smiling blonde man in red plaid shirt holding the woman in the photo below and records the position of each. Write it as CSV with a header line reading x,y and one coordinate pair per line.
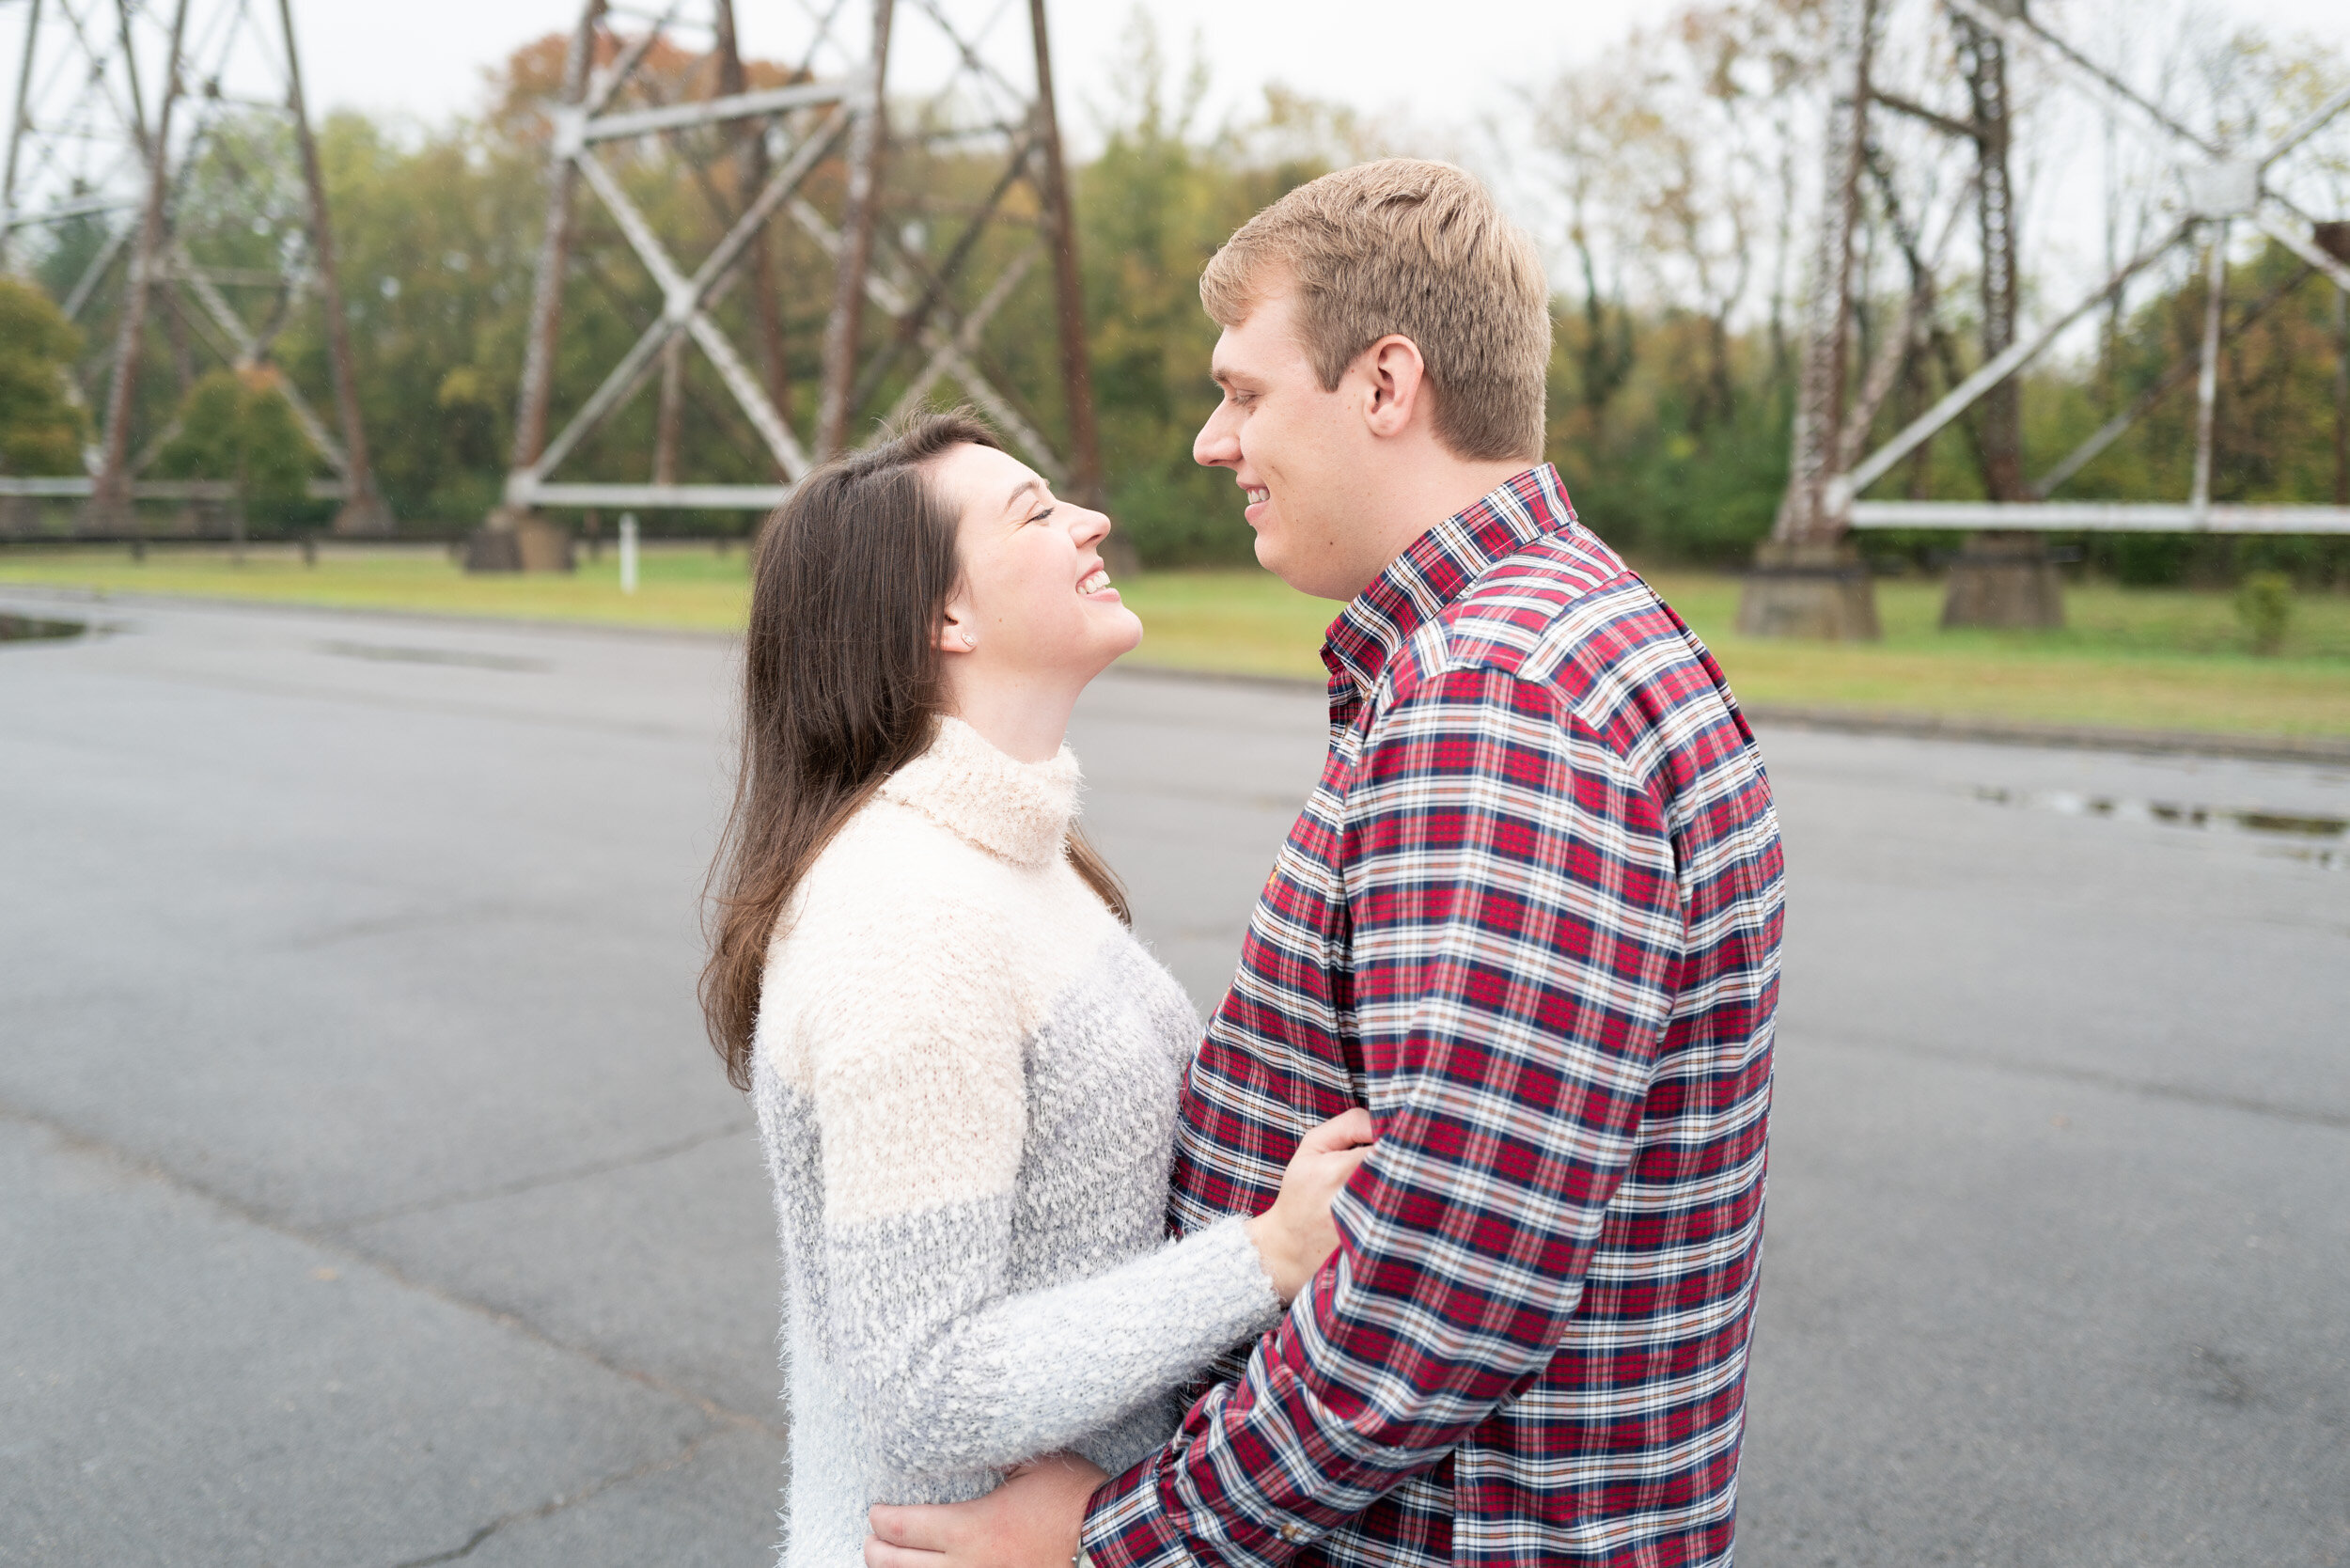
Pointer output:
x,y
1529,918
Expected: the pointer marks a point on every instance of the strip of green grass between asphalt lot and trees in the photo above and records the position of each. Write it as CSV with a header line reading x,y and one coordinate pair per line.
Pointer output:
x,y
2142,659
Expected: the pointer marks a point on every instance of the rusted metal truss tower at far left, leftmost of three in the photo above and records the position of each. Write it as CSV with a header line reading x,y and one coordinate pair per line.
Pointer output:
x,y
121,114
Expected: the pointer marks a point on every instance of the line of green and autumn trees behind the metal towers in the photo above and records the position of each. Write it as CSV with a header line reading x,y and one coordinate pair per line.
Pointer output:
x,y
1670,177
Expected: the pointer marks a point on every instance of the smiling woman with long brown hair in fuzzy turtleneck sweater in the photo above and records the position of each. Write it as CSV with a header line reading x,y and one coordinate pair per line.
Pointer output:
x,y
965,1066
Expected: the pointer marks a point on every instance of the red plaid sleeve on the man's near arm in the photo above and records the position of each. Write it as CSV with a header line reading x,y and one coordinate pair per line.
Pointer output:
x,y
1517,946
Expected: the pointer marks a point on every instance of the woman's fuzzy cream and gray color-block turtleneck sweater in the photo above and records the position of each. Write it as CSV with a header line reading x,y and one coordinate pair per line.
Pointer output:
x,y
967,1080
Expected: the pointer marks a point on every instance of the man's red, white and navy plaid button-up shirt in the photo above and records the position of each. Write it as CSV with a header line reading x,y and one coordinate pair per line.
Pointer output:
x,y
1529,918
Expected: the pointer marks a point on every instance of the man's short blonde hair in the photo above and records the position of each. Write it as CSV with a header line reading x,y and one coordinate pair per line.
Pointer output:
x,y
1418,250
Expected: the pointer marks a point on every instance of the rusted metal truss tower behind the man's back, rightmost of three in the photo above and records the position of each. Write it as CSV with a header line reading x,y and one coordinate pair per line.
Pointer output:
x,y
2215,187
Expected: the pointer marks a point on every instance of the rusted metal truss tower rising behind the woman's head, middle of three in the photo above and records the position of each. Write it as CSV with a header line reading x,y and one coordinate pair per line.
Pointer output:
x,y
842,192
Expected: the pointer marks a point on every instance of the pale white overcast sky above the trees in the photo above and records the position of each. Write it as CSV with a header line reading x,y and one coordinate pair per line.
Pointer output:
x,y
427,58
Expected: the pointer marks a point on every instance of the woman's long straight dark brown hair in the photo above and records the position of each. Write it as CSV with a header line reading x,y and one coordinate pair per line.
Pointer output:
x,y
842,685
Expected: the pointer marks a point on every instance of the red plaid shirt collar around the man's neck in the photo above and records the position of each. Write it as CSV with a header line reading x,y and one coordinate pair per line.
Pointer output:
x,y
1437,570
